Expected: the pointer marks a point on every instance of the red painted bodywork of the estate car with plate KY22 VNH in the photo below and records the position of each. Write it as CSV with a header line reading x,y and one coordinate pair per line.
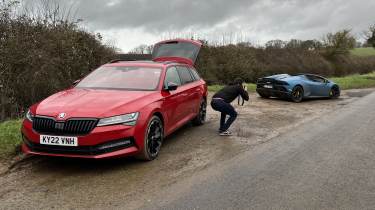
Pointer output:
x,y
174,107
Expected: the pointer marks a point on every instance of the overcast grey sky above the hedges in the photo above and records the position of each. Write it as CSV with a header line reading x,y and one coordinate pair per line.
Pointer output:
x,y
129,23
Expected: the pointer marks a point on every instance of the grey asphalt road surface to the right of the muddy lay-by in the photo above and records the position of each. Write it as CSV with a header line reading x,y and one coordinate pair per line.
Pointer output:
x,y
326,164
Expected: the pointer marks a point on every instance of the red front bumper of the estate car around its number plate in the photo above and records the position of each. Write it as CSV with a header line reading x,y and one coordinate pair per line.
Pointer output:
x,y
102,142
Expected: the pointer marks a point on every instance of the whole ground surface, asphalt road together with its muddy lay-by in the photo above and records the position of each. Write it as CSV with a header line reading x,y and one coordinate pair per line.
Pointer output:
x,y
282,155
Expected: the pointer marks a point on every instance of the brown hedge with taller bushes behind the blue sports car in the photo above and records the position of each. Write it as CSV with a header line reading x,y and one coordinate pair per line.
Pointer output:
x,y
221,64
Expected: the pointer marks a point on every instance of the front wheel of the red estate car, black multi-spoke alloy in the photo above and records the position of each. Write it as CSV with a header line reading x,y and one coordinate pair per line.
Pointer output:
x,y
153,139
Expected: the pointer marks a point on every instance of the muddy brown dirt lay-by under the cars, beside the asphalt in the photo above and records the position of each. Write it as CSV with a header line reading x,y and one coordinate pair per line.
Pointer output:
x,y
126,183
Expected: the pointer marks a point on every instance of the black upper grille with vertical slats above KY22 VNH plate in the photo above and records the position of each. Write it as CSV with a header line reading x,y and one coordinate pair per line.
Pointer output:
x,y
47,125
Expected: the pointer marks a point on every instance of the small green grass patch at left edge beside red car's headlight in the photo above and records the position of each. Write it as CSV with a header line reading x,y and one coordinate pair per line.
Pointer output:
x,y
10,137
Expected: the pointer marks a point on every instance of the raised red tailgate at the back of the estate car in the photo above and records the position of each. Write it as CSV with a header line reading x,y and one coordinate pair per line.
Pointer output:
x,y
177,50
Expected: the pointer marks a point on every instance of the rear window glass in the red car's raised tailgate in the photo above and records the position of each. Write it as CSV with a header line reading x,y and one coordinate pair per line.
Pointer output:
x,y
176,49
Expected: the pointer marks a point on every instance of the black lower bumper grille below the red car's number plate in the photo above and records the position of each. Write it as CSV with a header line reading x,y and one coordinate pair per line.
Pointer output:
x,y
107,147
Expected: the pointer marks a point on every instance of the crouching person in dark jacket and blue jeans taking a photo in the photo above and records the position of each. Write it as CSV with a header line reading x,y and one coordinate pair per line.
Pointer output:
x,y
221,103
